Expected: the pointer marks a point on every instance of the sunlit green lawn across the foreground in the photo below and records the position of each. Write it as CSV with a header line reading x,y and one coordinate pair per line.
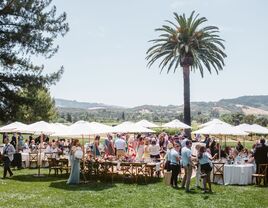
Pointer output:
x,y
23,190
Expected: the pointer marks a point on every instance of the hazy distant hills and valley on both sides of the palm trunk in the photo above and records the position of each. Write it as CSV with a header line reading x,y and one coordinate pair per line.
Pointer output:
x,y
256,105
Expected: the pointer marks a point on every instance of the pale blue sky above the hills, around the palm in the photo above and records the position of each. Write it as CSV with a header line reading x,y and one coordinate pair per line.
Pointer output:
x,y
104,52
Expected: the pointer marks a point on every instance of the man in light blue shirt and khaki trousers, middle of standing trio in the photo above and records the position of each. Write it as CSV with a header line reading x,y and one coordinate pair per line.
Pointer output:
x,y
186,155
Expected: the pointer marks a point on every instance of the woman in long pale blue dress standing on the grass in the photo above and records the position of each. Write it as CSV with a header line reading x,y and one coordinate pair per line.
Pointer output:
x,y
74,177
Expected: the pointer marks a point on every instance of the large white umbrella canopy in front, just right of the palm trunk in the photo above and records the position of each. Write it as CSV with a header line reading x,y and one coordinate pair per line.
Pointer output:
x,y
221,129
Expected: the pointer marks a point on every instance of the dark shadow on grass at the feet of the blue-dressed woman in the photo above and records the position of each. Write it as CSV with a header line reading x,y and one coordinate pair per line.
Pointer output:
x,y
89,186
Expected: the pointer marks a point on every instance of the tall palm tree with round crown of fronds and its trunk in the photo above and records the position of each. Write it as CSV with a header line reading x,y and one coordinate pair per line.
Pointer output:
x,y
190,46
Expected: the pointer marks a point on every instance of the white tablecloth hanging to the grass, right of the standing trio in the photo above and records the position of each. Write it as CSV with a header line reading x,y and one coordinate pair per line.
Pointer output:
x,y
238,174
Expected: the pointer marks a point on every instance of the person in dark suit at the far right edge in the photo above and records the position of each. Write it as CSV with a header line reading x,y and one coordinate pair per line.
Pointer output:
x,y
261,155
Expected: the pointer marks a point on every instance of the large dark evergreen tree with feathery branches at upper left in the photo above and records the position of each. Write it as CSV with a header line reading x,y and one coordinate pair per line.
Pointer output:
x,y
27,28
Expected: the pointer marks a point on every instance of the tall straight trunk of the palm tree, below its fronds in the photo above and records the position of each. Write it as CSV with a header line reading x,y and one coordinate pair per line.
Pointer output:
x,y
186,94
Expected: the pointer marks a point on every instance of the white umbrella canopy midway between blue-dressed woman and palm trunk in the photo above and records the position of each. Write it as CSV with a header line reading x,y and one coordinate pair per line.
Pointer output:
x,y
130,127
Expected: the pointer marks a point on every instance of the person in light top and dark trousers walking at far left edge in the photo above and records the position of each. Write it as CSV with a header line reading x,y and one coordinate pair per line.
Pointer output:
x,y
8,152
